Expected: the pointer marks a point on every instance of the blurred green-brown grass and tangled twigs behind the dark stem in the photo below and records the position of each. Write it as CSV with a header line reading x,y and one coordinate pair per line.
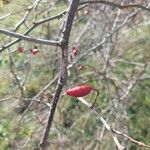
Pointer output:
x,y
112,54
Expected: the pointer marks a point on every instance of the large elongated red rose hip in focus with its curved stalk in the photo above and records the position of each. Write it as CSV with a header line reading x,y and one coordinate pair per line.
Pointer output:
x,y
81,91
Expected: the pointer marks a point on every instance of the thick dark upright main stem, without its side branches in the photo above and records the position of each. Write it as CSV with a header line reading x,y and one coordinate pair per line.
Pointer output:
x,y
63,70
